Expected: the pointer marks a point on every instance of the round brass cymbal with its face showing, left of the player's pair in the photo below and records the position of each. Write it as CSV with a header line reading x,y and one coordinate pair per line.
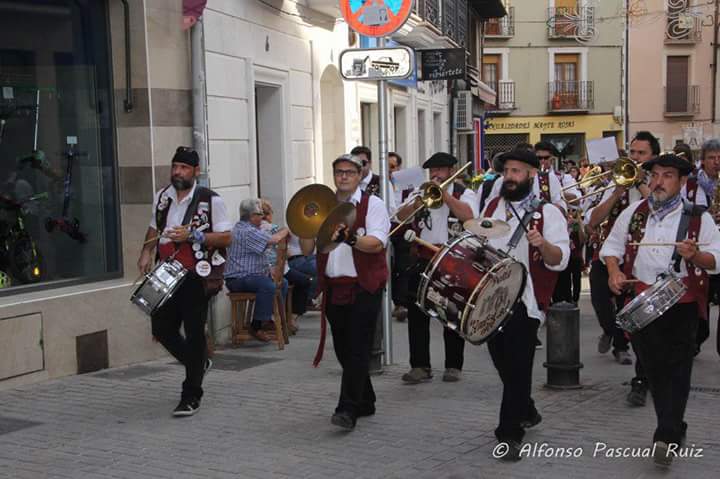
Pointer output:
x,y
308,208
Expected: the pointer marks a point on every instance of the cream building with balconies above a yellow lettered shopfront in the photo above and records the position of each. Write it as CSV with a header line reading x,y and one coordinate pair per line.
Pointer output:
x,y
557,67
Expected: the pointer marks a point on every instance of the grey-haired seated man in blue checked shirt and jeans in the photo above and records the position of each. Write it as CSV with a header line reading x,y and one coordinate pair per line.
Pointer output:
x,y
247,268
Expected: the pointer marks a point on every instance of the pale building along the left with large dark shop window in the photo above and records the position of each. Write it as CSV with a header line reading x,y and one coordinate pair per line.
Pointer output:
x,y
96,96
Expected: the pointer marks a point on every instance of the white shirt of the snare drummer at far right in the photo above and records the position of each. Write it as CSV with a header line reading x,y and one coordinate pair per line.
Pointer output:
x,y
653,260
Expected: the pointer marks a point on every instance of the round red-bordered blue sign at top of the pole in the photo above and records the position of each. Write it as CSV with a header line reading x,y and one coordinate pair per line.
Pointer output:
x,y
375,18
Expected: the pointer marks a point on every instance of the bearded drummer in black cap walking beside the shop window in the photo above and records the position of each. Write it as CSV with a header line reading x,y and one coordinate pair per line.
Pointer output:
x,y
196,229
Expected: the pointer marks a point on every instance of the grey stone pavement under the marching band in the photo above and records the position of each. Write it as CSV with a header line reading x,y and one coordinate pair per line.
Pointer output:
x,y
266,415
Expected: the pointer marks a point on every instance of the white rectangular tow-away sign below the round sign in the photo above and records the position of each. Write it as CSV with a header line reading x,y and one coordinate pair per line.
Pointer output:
x,y
376,63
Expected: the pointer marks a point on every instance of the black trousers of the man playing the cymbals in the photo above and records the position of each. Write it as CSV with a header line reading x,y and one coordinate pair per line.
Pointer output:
x,y
353,328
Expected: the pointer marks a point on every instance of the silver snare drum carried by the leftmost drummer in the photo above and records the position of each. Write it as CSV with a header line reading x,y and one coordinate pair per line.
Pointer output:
x,y
159,286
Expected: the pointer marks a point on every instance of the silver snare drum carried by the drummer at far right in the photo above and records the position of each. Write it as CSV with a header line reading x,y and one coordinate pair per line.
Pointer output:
x,y
651,303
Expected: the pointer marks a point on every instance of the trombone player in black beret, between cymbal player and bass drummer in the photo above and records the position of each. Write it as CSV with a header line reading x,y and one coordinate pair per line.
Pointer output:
x,y
436,226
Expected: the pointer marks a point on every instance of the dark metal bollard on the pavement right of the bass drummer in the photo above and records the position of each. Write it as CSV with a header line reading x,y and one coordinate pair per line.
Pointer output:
x,y
563,346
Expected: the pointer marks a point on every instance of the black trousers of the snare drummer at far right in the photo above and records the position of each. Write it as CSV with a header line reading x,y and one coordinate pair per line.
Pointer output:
x,y
666,347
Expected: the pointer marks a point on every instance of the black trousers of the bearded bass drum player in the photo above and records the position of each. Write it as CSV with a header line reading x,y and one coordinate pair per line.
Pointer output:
x,y
512,351
